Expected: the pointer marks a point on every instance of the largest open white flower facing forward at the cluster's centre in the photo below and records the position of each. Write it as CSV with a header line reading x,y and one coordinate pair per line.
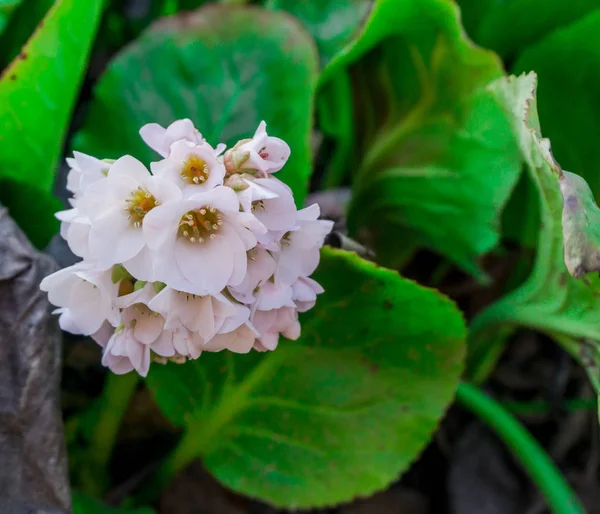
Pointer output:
x,y
201,241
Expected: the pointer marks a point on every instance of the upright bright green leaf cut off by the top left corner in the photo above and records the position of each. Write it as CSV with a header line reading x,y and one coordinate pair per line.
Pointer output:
x,y
37,94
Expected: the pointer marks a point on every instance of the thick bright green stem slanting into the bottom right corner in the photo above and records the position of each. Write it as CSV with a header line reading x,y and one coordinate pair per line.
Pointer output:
x,y
550,481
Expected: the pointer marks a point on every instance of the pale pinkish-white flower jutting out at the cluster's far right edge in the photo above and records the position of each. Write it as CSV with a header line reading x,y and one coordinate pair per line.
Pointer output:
x,y
300,248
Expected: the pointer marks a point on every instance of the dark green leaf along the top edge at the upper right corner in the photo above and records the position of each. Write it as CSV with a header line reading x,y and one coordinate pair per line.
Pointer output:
x,y
509,27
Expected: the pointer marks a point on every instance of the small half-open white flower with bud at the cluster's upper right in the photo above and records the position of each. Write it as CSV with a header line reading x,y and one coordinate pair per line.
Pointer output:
x,y
262,153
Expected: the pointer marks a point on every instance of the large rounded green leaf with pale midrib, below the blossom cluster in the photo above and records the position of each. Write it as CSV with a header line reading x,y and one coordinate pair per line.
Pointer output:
x,y
339,413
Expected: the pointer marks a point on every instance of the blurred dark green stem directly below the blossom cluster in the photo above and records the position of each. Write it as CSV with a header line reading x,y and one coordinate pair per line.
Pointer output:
x,y
117,392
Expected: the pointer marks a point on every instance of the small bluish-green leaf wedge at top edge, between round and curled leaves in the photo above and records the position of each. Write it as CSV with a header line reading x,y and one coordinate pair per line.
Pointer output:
x,y
333,24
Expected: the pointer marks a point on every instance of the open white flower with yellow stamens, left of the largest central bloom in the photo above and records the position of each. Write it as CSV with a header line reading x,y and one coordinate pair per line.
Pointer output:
x,y
117,207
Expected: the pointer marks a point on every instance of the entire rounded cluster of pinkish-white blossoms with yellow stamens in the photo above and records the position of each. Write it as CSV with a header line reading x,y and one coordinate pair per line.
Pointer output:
x,y
206,252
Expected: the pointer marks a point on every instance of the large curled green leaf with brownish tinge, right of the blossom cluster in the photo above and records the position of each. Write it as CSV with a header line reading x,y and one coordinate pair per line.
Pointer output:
x,y
440,160
